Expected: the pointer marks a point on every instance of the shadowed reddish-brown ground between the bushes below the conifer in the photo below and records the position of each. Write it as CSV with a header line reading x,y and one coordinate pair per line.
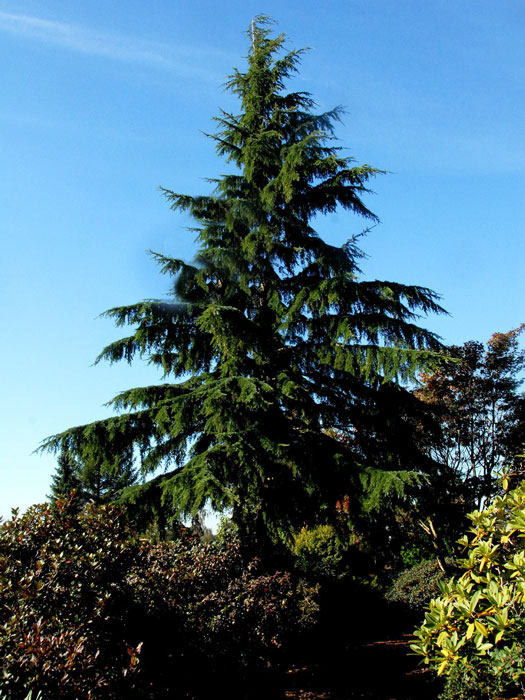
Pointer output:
x,y
359,651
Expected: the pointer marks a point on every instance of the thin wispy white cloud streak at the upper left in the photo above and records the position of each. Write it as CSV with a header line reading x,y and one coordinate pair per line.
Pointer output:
x,y
183,61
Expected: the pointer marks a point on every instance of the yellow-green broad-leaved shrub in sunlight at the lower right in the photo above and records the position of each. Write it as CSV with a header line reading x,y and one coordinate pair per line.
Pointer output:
x,y
476,628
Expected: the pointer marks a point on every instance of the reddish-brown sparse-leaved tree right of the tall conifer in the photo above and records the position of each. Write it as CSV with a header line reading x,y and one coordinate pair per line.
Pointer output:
x,y
480,410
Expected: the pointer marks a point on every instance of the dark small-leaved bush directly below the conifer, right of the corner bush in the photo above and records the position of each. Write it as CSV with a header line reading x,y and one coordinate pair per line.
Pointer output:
x,y
229,616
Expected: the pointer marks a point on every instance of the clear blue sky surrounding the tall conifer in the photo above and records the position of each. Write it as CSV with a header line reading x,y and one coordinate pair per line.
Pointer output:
x,y
100,103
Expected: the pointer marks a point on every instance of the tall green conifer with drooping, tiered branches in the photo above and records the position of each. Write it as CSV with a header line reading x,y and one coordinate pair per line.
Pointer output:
x,y
286,370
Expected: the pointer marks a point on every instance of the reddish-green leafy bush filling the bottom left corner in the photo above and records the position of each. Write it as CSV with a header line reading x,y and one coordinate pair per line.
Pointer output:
x,y
63,623
